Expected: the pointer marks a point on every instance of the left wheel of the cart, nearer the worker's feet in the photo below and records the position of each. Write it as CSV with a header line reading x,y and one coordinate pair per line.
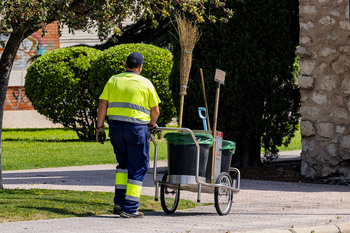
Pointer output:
x,y
169,196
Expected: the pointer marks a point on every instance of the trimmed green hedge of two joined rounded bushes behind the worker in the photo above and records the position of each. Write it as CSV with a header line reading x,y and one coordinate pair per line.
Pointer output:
x,y
65,84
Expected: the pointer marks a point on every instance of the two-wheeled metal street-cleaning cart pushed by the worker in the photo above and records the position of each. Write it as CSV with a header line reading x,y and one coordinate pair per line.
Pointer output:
x,y
199,179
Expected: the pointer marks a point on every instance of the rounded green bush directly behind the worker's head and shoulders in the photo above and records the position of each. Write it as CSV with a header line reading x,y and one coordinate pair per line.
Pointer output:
x,y
157,67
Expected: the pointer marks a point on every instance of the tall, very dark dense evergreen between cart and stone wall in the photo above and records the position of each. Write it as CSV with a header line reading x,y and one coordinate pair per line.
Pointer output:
x,y
260,100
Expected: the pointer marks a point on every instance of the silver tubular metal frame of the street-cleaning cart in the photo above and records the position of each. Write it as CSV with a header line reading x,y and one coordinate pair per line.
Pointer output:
x,y
201,186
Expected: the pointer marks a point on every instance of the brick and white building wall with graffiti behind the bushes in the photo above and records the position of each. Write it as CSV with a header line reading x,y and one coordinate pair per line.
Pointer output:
x,y
19,112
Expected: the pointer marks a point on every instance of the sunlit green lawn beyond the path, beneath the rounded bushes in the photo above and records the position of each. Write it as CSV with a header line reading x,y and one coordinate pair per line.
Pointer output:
x,y
40,148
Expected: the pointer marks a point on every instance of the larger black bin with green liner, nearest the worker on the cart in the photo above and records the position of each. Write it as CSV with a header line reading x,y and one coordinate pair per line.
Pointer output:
x,y
182,155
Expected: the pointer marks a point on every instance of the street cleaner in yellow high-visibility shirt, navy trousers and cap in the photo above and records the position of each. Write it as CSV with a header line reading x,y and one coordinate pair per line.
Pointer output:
x,y
131,104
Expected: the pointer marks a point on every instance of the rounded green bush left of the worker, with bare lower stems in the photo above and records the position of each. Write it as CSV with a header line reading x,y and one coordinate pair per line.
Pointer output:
x,y
57,85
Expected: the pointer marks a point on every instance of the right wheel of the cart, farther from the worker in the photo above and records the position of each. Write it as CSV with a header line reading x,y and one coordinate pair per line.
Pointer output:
x,y
223,196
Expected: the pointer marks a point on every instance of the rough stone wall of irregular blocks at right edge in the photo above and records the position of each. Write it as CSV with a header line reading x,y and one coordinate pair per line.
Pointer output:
x,y
325,87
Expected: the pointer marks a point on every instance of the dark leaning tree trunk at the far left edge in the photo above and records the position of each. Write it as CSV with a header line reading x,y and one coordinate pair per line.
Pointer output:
x,y
6,63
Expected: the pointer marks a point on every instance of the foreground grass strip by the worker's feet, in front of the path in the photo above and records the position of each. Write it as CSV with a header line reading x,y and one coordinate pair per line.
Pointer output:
x,y
34,204
